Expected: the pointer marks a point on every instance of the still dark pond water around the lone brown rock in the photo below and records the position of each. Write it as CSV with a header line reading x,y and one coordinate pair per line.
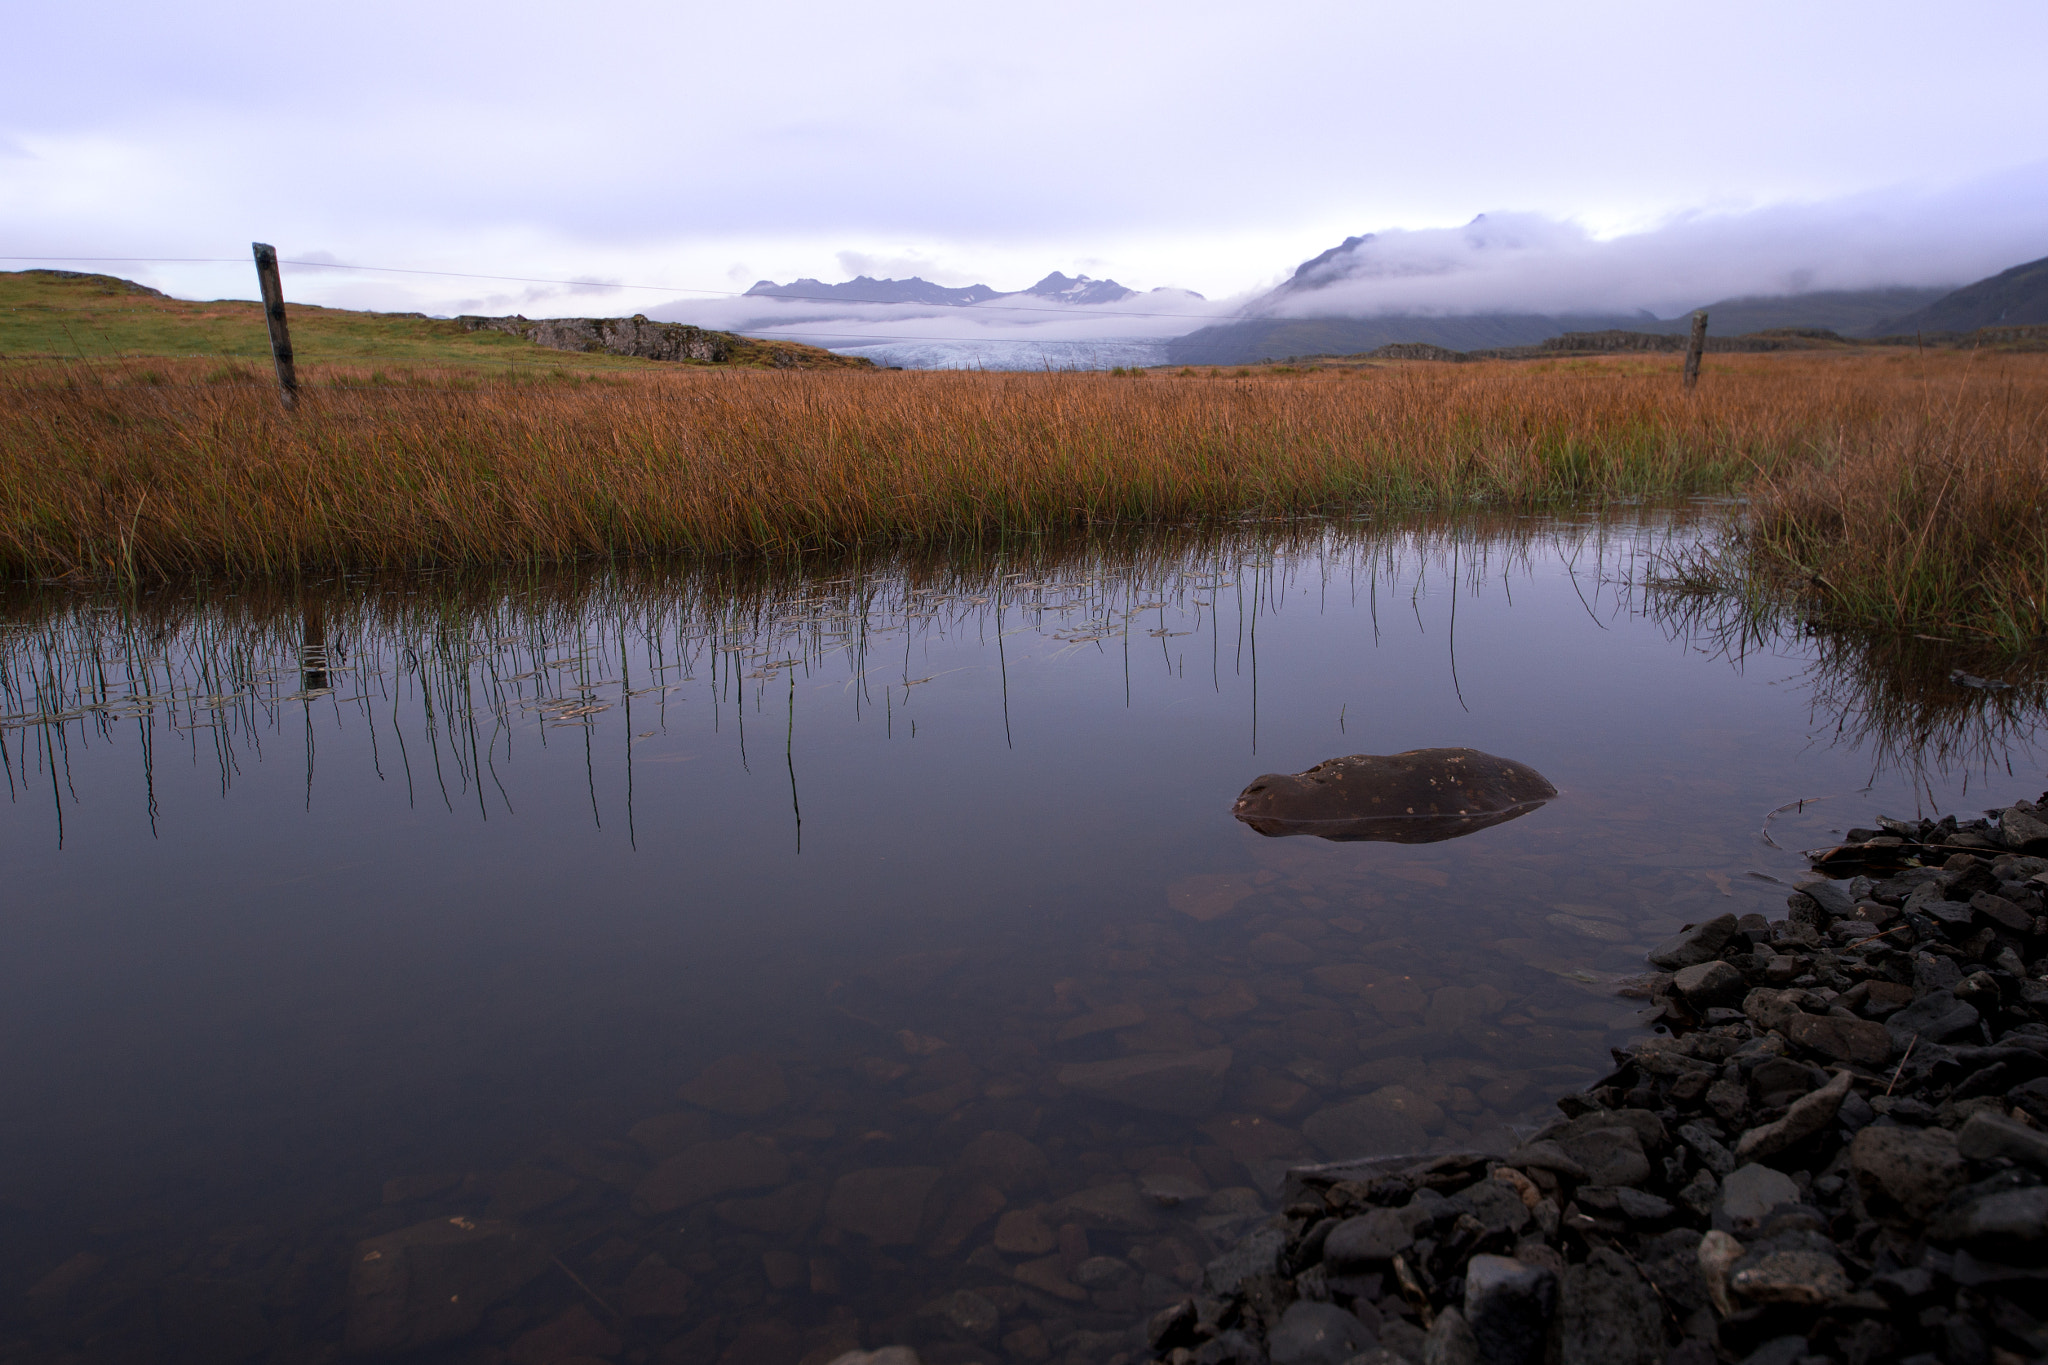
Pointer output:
x,y
755,946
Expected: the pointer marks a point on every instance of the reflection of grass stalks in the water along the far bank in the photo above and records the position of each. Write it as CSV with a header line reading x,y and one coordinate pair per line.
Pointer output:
x,y
443,668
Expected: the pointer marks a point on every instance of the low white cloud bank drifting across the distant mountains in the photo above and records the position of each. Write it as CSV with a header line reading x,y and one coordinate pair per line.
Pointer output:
x,y
1500,263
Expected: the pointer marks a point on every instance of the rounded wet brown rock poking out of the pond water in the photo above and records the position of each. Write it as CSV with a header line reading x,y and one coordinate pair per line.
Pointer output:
x,y
1416,797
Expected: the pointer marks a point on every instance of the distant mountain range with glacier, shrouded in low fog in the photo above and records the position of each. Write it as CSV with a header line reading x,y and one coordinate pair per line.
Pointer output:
x,y
1854,265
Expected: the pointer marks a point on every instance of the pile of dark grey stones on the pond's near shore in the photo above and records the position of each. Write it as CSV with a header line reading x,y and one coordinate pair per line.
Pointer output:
x,y
1830,1149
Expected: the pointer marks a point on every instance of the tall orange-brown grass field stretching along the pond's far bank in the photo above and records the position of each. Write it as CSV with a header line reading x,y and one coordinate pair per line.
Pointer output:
x,y
1887,488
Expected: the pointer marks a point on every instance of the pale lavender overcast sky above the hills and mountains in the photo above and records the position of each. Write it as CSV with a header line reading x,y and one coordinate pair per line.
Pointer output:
x,y
1201,146
